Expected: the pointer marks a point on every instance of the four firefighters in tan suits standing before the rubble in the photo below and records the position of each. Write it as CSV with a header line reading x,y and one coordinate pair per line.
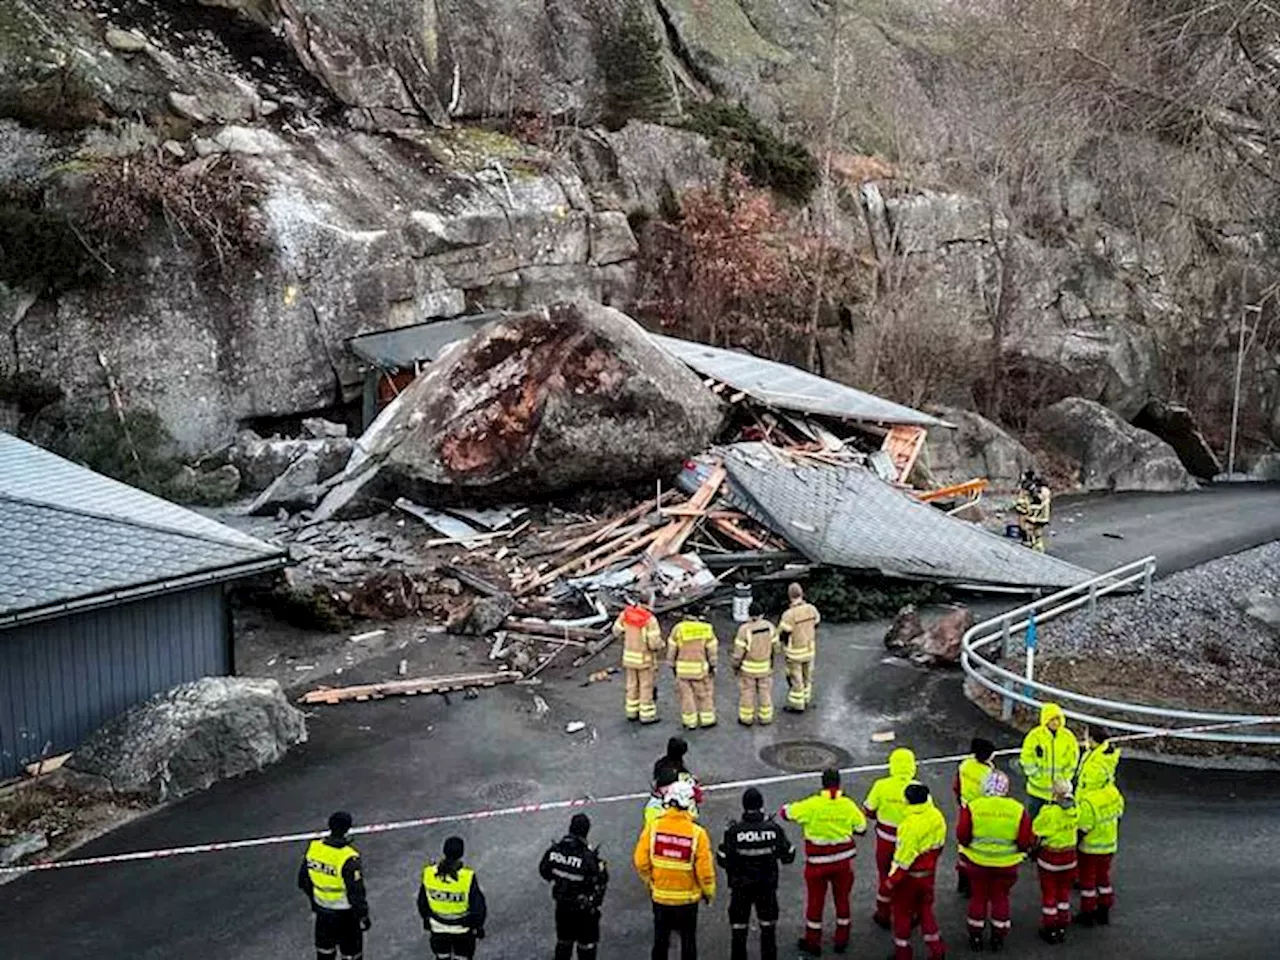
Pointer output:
x,y
692,651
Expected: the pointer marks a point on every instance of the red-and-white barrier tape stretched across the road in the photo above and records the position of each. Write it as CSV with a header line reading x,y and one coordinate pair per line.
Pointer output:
x,y
524,810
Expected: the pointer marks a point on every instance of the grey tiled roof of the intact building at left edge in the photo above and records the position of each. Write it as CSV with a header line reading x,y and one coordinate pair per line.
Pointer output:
x,y
71,536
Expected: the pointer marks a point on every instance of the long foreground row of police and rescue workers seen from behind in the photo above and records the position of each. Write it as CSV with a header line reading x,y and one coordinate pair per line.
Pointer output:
x,y
1069,825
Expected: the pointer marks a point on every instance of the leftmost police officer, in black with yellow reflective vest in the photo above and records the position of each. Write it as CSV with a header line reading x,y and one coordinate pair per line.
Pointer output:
x,y
335,884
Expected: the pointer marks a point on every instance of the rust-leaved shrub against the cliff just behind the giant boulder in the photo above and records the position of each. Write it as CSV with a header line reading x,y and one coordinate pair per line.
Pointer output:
x,y
733,271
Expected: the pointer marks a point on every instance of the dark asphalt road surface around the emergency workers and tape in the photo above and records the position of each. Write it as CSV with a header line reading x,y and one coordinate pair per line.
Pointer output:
x,y
1196,876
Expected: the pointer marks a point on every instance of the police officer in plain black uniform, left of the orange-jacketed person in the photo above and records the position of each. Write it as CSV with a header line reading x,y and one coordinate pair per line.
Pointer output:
x,y
579,879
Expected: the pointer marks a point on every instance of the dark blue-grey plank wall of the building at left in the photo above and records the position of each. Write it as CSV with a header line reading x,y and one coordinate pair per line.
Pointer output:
x,y
63,679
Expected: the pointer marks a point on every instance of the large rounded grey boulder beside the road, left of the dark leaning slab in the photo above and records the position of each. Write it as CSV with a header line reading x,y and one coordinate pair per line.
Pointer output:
x,y
1112,454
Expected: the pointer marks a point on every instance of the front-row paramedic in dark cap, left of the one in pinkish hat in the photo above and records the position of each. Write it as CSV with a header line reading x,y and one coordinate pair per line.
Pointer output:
x,y
921,838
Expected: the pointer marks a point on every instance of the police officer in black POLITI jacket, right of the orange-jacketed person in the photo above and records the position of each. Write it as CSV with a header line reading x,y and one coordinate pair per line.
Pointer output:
x,y
749,854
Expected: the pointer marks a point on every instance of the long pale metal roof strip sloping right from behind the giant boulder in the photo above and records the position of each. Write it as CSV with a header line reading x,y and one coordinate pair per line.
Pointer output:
x,y
790,388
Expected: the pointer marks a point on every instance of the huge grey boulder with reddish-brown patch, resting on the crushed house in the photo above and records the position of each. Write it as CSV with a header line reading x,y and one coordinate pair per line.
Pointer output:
x,y
532,405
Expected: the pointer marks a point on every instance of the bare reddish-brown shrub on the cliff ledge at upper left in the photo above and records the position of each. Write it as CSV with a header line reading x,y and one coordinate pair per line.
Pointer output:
x,y
211,203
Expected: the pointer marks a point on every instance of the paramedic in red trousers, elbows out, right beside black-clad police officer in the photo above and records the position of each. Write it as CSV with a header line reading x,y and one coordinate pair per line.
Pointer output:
x,y
830,822
